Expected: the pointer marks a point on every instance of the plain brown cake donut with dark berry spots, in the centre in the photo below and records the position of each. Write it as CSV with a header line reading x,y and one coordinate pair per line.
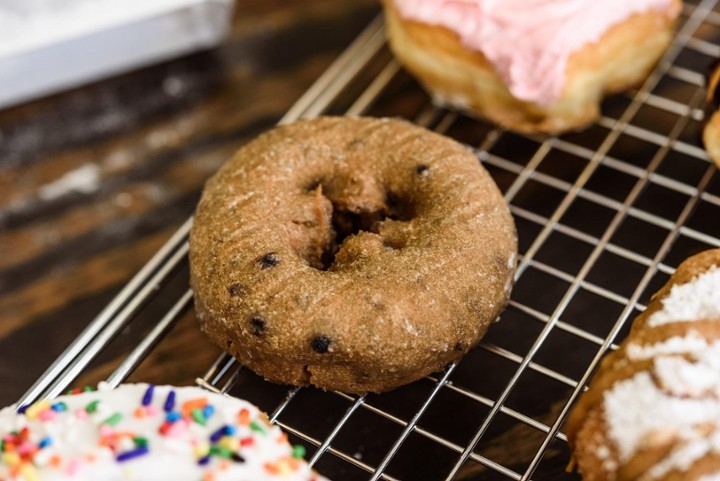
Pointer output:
x,y
354,254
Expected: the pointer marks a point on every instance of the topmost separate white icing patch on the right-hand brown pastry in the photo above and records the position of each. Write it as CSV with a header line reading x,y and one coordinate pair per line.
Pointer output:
x,y
696,300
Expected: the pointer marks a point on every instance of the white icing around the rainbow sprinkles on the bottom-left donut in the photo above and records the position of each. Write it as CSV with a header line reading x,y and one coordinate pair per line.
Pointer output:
x,y
77,442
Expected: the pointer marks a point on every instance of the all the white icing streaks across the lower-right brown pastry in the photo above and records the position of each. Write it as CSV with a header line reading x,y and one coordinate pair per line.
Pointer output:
x,y
679,398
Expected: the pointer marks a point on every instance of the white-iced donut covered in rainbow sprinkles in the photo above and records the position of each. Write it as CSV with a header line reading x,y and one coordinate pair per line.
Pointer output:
x,y
143,432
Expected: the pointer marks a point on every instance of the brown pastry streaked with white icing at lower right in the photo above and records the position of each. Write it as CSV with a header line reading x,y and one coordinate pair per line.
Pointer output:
x,y
653,408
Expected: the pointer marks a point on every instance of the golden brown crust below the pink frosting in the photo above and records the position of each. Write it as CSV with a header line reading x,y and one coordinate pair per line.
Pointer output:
x,y
465,79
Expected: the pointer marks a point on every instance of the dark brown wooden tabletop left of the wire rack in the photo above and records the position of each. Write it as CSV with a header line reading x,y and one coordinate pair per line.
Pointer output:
x,y
93,181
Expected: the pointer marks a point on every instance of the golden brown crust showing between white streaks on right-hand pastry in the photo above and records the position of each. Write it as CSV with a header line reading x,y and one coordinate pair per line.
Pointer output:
x,y
587,427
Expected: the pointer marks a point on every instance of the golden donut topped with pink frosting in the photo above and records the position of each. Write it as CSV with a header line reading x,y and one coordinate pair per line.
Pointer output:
x,y
537,65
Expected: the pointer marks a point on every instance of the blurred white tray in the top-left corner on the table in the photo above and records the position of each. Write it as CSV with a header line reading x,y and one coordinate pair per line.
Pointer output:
x,y
51,45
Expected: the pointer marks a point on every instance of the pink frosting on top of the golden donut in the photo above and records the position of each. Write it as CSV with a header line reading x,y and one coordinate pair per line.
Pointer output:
x,y
528,41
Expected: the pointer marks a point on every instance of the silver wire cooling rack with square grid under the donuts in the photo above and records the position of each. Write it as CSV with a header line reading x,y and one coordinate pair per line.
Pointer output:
x,y
604,216
